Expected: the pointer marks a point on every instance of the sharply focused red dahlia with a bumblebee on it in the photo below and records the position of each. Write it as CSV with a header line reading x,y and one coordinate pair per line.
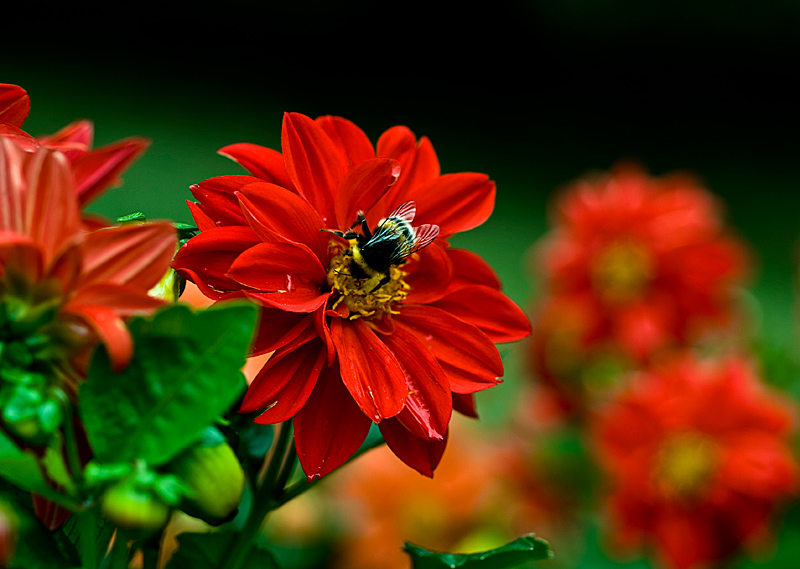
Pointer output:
x,y
347,352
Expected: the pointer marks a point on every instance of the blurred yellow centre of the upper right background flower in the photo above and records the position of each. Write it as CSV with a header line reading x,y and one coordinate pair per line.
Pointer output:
x,y
621,271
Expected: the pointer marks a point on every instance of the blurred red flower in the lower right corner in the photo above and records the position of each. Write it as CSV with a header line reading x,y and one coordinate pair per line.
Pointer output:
x,y
699,459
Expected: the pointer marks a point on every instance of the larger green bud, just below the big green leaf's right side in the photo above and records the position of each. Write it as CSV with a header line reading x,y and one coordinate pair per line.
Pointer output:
x,y
215,481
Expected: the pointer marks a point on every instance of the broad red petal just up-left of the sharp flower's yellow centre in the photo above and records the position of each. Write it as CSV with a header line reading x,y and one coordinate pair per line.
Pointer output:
x,y
285,214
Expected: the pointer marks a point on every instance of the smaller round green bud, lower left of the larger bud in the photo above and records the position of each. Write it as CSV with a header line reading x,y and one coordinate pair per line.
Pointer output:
x,y
131,506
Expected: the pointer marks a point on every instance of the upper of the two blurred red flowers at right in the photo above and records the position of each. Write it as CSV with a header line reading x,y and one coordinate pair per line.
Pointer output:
x,y
646,258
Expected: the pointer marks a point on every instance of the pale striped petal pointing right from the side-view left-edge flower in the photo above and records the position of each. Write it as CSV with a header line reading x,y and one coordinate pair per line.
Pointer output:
x,y
129,254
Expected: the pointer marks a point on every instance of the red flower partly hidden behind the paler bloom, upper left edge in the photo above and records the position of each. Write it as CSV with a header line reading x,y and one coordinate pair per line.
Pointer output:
x,y
93,170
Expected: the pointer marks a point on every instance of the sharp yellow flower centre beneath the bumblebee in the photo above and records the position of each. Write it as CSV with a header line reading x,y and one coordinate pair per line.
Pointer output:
x,y
362,297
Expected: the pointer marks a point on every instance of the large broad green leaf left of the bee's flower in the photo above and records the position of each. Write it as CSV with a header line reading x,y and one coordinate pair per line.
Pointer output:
x,y
184,375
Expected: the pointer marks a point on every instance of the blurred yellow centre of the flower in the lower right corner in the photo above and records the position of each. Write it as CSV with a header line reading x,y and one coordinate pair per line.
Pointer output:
x,y
685,465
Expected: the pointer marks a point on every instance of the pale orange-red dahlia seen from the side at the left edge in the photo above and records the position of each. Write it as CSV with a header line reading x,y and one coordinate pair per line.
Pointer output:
x,y
87,283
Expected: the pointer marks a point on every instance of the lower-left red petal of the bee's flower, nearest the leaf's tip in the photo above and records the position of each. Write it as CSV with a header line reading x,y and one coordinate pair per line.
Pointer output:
x,y
284,384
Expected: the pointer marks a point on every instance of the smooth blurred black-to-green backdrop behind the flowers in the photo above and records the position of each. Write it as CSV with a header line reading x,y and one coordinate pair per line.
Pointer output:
x,y
532,92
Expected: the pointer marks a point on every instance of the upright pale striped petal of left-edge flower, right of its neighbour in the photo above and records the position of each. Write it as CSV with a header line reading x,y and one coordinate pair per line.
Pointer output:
x,y
51,214
